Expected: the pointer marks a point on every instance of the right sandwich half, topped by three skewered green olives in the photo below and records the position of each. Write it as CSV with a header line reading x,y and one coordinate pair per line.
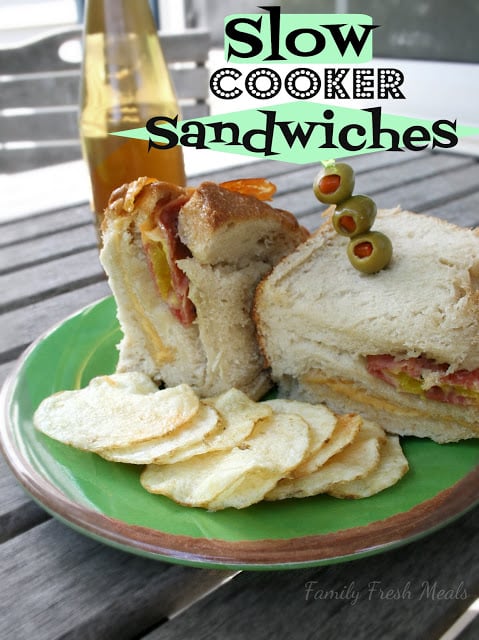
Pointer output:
x,y
399,347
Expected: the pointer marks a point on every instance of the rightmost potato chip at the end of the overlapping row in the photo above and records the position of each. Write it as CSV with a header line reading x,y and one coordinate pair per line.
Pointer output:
x,y
392,467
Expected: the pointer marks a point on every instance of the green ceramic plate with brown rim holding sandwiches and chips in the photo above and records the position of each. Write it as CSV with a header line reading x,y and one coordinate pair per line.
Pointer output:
x,y
105,500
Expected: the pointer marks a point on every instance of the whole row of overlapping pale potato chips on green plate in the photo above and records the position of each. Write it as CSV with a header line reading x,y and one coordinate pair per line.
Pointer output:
x,y
226,451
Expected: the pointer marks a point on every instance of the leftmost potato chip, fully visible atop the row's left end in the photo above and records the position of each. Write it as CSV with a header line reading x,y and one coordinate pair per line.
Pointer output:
x,y
115,411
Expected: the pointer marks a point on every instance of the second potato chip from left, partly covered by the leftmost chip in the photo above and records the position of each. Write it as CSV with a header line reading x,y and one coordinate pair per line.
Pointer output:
x,y
190,433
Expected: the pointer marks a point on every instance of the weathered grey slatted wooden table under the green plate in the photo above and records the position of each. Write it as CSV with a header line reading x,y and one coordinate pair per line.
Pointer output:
x,y
56,583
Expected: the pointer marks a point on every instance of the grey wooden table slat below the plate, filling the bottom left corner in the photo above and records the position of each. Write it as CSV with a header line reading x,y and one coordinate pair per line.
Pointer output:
x,y
57,584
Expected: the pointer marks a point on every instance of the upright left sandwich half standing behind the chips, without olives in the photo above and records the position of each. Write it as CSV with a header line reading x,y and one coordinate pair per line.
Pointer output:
x,y
183,265
